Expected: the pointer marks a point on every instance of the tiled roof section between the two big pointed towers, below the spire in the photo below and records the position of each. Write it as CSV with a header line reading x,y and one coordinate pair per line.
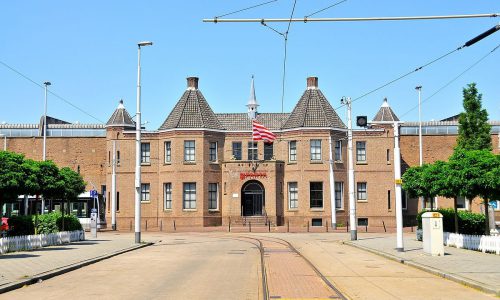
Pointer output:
x,y
241,121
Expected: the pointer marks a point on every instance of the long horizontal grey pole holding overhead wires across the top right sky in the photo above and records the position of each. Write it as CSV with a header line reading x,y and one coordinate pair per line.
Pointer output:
x,y
305,19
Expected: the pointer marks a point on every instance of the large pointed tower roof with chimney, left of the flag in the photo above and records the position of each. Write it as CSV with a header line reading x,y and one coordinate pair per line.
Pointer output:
x,y
192,111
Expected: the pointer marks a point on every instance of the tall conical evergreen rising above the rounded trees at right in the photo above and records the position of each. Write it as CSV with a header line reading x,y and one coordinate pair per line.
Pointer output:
x,y
474,132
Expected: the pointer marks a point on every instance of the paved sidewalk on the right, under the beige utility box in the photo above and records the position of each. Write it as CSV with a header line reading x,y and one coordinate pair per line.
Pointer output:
x,y
471,268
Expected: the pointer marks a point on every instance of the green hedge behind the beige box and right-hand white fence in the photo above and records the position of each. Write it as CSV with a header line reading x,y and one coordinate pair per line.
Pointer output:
x,y
468,222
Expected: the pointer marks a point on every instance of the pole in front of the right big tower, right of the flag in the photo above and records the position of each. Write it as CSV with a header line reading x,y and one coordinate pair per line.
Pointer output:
x,y
352,201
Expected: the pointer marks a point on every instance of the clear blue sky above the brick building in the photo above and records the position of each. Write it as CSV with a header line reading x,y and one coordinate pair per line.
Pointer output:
x,y
88,50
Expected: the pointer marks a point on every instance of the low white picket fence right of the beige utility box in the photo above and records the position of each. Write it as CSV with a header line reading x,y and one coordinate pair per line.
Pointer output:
x,y
484,243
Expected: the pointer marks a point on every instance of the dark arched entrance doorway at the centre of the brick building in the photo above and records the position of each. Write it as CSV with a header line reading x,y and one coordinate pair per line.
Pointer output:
x,y
252,200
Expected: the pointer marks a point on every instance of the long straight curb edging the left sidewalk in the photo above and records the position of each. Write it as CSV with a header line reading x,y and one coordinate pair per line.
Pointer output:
x,y
66,269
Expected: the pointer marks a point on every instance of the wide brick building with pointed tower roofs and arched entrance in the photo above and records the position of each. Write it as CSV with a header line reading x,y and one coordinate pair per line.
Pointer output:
x,y
202,168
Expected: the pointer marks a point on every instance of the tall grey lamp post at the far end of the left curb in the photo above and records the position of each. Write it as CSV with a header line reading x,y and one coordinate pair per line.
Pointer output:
x,y
138,147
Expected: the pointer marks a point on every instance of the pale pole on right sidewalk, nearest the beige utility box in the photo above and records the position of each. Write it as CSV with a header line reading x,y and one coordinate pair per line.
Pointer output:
x,y
397,182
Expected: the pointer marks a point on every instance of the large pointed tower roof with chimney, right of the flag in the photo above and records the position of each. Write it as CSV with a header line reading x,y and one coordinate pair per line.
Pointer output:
x,y
313,110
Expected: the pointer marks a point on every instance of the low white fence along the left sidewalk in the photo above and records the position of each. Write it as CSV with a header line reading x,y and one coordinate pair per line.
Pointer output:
x,y
30,242
